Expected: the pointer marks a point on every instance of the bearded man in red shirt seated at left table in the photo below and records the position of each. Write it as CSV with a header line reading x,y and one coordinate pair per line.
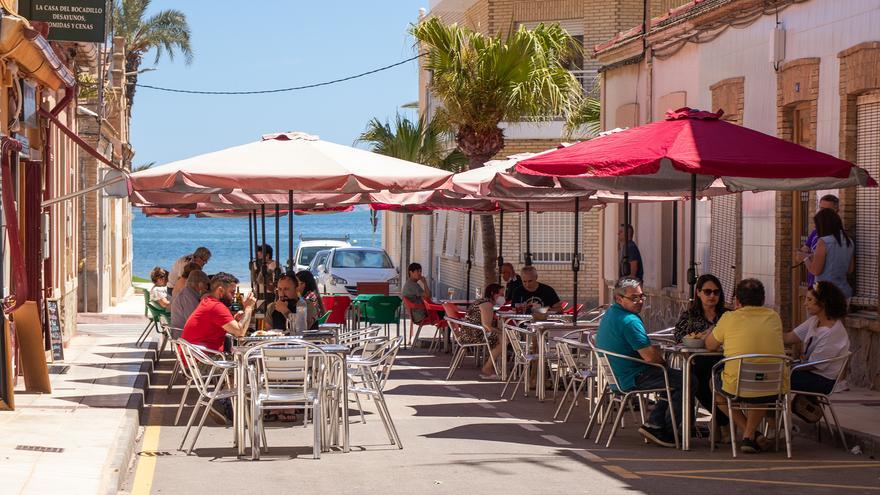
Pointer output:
x,y
211,321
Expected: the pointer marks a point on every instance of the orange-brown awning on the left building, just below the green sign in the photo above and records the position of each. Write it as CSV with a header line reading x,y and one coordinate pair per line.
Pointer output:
x,y
24,45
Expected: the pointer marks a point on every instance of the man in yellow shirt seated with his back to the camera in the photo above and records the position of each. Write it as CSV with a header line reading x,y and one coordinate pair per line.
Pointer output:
x,y
751,329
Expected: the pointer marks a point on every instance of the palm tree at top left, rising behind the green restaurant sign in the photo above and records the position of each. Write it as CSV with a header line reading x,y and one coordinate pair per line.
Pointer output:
x,y
166,32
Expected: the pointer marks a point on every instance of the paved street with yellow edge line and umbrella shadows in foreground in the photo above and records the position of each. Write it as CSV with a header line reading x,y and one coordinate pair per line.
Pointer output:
x,y
459,437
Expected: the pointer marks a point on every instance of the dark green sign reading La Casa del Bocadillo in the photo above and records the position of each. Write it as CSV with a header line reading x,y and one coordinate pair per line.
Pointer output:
x,y
69,20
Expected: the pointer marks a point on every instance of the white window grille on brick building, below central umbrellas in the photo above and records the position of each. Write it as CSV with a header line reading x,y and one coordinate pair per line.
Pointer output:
x,y
552,237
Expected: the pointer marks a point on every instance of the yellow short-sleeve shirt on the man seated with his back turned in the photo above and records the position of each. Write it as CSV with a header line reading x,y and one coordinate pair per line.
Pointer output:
x,y
748,330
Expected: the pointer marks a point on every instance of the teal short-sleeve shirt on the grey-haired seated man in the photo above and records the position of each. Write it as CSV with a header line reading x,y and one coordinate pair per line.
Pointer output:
x,y
622,332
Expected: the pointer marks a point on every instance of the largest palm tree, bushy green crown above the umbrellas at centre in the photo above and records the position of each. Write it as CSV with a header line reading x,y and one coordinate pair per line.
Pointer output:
x,y
485,80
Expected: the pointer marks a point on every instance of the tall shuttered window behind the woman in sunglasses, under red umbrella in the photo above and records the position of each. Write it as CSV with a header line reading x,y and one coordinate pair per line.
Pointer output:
x,y
723,242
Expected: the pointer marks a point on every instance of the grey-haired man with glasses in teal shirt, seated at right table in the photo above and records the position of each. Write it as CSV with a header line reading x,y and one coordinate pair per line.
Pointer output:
x,y
622,332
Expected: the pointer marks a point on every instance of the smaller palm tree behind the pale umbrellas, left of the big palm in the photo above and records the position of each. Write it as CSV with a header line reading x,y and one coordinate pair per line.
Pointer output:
x,y
420,142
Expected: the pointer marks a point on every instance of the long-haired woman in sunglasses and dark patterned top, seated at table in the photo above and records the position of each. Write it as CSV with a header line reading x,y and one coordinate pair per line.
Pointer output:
x,y
697,321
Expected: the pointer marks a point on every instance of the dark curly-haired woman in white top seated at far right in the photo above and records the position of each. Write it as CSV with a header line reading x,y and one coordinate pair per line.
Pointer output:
x,y
823,336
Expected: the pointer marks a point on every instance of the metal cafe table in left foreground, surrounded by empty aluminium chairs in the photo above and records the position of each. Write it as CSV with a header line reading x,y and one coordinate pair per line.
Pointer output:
x,y
335,351
